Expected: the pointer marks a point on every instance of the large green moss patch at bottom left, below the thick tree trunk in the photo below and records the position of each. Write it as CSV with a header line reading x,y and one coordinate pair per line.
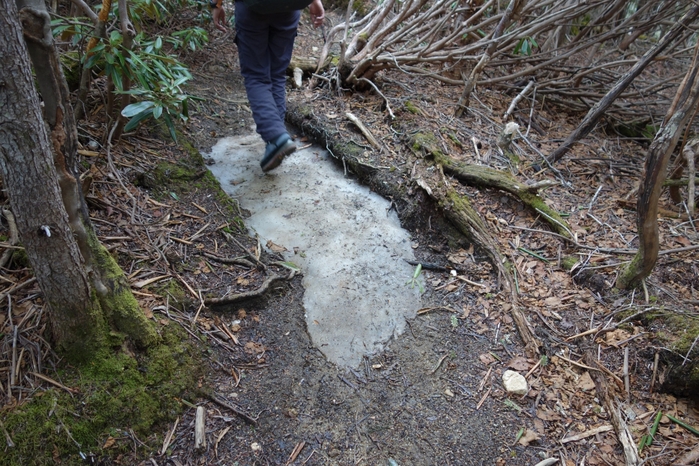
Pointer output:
x,y
117,392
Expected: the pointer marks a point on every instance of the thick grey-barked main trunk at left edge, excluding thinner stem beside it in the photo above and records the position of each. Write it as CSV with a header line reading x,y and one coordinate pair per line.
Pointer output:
x,y
35,197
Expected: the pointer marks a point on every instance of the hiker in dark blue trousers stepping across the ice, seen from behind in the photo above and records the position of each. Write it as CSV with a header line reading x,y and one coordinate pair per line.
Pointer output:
x,y
265,33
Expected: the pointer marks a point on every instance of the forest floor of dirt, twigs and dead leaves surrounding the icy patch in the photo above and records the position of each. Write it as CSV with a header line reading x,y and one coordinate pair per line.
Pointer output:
x,y
435,396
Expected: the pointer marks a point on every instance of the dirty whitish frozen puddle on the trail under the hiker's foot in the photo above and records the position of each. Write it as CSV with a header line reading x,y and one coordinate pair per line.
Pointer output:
x,y
350,248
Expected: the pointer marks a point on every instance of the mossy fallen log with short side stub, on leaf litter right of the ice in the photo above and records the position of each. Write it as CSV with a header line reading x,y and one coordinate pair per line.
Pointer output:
x,y
486,177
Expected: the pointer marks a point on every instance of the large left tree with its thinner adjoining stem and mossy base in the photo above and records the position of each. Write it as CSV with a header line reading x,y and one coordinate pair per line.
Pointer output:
x,y
84,287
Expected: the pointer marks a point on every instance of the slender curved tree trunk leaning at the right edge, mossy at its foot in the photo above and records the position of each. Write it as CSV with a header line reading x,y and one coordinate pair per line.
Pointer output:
x,y
679,115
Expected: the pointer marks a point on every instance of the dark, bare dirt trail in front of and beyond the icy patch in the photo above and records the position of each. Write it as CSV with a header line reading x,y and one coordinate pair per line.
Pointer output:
x,y
426,399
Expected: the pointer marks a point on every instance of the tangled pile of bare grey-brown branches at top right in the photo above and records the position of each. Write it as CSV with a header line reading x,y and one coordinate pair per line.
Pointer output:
x,y
574,49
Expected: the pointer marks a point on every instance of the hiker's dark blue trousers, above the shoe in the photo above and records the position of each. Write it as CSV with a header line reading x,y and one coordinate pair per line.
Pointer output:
x,y
265,43
